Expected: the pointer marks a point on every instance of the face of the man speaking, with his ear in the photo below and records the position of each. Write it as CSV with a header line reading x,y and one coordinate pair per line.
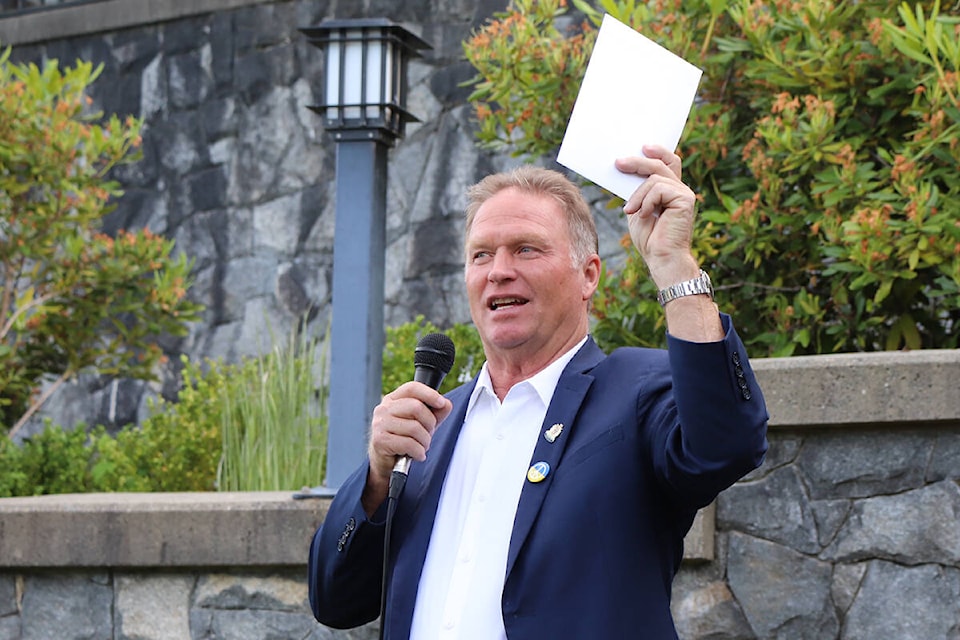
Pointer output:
x,y
527,299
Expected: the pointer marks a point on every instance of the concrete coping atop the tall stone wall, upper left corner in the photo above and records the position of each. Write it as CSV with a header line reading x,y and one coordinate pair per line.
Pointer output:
x,y
109,15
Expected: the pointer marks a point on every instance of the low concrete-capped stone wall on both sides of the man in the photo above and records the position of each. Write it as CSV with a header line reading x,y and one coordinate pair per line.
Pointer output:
x,y
850,530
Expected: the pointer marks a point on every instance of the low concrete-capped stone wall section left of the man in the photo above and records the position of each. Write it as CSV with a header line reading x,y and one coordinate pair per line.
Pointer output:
x,y
143,566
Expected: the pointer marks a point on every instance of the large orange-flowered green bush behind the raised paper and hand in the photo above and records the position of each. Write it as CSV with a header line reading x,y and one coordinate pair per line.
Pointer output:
x,y
823,146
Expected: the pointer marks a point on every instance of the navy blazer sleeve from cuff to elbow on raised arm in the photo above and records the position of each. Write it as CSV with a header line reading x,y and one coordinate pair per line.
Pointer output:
x,y
719,432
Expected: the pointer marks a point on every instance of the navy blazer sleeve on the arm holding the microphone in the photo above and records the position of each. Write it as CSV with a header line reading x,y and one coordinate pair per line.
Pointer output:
x,y
346,559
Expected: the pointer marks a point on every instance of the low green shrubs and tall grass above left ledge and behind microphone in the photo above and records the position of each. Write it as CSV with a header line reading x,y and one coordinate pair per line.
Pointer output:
x,y
254,426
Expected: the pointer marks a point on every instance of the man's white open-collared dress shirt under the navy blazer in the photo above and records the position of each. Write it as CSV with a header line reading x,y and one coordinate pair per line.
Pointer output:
x,y
464,570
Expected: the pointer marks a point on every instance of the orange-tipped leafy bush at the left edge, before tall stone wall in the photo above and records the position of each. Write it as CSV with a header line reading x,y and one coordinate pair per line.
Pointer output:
x,y
72,298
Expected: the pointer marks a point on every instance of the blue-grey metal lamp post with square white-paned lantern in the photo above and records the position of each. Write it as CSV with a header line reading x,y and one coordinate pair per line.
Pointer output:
x,y
364,110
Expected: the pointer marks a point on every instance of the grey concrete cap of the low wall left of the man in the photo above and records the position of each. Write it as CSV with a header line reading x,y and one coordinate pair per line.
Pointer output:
x,y
158,530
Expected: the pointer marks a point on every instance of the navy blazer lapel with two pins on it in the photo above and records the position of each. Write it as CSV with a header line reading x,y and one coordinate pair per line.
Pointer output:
x,y
571,389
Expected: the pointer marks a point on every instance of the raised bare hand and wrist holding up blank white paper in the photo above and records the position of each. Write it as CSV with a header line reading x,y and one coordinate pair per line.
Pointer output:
x,y
636,95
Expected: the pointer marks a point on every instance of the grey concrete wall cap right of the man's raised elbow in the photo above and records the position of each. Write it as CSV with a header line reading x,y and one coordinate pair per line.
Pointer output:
x,y
862,388
